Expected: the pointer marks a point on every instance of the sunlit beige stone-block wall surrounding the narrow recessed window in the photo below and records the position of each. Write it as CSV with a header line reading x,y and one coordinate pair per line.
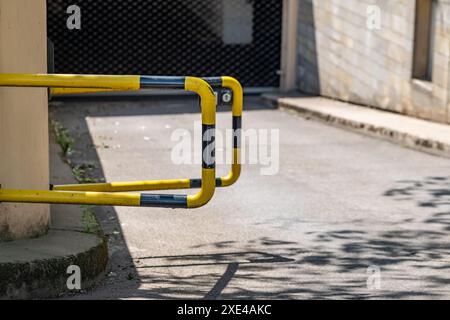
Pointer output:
x,y
340,57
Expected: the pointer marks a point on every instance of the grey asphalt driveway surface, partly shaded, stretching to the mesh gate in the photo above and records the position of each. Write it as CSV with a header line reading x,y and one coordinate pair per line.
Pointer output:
x,y
347,216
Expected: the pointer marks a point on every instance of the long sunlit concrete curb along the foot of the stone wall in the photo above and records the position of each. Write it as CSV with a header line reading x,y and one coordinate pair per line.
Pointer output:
x,y
422,135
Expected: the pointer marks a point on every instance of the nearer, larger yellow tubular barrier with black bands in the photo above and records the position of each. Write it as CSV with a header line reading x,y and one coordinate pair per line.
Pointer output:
x,y
124,83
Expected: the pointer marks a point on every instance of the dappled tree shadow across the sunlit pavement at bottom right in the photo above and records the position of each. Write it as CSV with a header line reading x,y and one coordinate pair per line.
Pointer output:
x,y
412,254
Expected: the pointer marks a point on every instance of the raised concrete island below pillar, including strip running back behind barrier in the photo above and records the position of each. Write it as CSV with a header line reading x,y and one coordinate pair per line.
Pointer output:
x,y
37,268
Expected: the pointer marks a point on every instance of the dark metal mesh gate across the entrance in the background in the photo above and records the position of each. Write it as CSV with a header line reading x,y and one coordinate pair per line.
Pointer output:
x,y
241,38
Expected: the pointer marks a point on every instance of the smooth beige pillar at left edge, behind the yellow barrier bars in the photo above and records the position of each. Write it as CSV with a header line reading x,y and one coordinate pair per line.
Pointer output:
x,y
24,155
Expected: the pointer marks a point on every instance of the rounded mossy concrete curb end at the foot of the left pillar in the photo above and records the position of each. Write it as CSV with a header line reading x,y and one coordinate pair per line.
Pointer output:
x,y
37,268
